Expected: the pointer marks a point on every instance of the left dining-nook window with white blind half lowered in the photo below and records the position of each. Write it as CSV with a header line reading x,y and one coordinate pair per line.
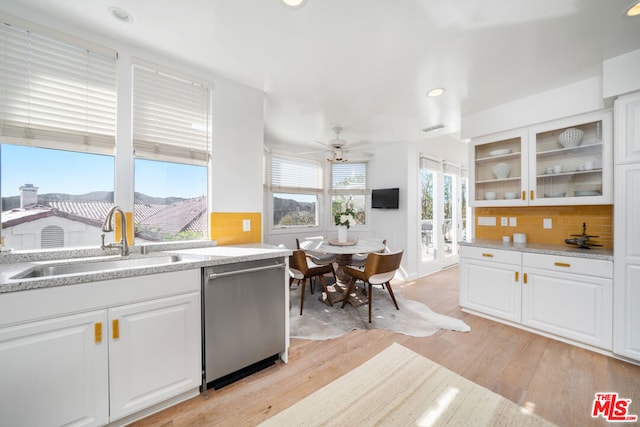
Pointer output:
x,y
296,185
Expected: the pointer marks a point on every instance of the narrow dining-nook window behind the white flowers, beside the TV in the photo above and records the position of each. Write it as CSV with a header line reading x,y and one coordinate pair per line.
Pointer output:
x,y
349,188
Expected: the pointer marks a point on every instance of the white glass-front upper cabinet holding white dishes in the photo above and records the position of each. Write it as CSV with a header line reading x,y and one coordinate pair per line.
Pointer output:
x,y
564,162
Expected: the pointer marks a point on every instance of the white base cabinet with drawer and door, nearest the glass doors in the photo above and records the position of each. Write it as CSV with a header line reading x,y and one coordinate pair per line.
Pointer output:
x,y
489,281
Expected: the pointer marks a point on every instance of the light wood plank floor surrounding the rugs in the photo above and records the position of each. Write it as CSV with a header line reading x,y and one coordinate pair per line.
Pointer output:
x,y
556,380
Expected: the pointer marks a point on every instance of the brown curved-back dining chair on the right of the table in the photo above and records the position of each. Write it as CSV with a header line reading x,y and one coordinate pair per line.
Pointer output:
x,y
378,270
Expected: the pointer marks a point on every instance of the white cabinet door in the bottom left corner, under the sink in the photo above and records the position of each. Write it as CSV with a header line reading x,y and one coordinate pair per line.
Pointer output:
x,y
55,372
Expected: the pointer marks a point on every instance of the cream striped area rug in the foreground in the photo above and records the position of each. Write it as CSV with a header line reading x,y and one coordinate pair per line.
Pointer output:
x,y
399,387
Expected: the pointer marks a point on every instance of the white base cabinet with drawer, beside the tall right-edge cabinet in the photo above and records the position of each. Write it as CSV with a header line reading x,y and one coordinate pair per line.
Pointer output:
x,y
569,297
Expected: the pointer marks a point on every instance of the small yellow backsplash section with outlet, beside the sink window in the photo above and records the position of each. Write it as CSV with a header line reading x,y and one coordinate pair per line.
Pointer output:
x,y
227,227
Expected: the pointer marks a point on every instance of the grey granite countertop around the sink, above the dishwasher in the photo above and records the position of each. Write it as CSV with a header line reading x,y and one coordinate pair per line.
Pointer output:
x,y
191,259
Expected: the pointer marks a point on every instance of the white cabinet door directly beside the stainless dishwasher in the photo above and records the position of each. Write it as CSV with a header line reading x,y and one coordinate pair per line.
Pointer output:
x,y
154,352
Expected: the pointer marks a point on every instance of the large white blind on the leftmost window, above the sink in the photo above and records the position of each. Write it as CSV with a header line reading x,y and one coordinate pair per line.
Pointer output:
x,y
55,94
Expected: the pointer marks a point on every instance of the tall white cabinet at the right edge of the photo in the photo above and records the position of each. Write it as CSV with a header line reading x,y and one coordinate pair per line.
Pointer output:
x,y
626,327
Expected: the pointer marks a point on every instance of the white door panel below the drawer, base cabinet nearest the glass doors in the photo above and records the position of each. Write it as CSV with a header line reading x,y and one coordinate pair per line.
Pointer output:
x,y
491,288
